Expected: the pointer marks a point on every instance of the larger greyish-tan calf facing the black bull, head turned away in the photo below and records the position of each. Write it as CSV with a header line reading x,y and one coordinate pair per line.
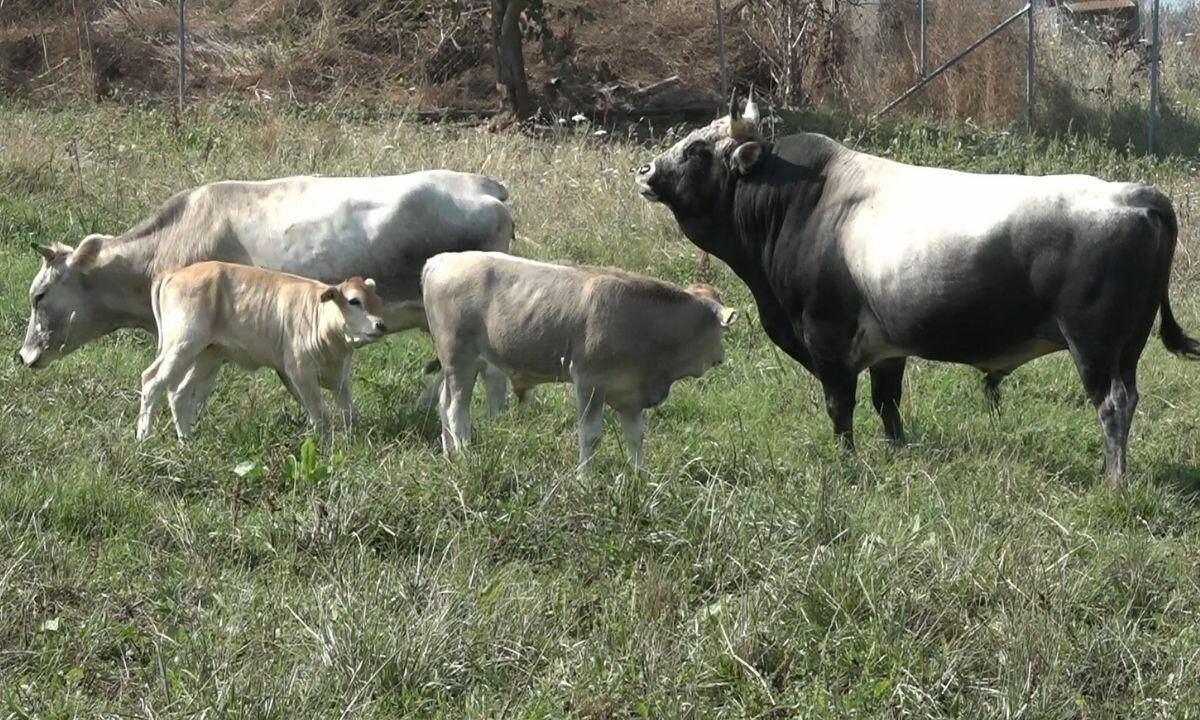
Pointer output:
x,y
621,339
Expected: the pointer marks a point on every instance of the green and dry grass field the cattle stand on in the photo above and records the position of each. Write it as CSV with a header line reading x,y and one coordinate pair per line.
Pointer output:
x,y
983,572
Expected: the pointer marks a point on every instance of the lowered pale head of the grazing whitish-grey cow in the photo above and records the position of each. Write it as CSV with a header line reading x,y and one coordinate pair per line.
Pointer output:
x,y
62,315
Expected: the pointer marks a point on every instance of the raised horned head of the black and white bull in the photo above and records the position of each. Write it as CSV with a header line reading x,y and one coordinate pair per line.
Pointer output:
x,y
692,176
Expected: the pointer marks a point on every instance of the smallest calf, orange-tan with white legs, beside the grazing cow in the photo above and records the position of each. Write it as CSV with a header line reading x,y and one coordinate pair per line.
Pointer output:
x,y
212,314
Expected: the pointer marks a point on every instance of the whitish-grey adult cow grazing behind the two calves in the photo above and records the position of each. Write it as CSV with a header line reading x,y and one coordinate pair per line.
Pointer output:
x,y
326,229
